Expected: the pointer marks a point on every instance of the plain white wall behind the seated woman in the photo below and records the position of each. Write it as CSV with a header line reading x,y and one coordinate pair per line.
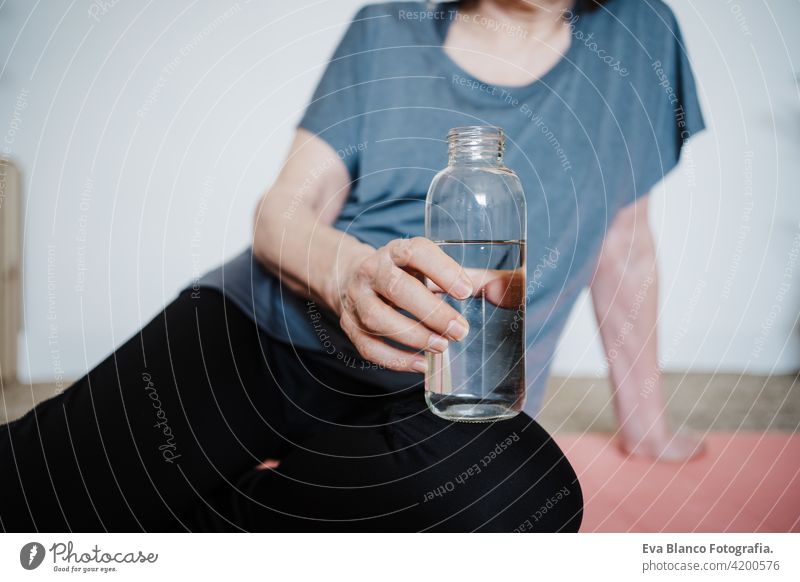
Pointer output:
x,y
146,137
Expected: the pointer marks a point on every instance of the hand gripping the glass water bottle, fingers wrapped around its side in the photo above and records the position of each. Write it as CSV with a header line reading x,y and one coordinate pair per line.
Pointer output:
x,y
375,286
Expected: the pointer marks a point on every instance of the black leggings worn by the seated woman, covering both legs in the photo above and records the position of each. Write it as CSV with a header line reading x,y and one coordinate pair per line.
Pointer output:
x,y
165,433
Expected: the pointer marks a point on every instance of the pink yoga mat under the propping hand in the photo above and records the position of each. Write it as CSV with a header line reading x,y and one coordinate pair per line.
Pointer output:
x,y
744,482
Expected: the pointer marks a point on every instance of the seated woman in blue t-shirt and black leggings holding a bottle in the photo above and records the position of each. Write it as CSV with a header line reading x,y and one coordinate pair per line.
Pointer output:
x,y
297,351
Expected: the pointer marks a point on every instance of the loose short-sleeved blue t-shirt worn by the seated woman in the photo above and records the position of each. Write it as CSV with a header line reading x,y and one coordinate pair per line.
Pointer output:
x,y
595,132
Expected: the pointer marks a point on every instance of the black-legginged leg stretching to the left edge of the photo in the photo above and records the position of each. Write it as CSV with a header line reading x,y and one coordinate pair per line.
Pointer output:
x,y
185,405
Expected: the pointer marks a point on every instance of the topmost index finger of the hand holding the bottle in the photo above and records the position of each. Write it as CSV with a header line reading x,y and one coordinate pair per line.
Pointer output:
x,y
425,256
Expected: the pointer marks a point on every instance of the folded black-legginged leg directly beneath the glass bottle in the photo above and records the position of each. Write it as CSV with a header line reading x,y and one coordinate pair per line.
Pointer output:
x,y
406,470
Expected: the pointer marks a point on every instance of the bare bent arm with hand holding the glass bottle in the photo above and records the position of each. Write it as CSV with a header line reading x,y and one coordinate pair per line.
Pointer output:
x,y
294,239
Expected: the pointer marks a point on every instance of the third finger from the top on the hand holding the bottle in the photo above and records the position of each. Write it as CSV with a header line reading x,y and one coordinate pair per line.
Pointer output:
x,y
376,317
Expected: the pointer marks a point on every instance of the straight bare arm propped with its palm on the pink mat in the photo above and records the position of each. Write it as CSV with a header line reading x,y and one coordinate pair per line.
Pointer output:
x,y
625,297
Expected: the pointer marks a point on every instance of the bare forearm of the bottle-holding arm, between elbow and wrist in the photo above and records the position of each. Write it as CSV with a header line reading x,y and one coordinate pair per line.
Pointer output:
x,y
303,249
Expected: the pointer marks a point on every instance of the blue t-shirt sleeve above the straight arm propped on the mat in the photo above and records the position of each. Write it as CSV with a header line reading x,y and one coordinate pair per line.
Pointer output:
x,y
675,113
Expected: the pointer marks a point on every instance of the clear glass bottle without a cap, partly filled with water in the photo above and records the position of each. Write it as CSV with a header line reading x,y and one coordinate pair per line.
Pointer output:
x,y
475,212
